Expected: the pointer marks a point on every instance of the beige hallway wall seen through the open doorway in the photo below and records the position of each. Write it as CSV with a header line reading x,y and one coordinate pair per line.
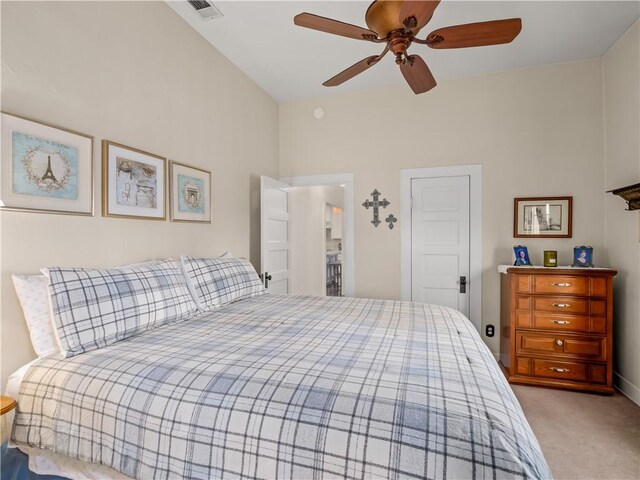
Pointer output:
x,y
308,260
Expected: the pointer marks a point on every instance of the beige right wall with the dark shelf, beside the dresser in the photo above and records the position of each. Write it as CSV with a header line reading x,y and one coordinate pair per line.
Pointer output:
x,y
622,168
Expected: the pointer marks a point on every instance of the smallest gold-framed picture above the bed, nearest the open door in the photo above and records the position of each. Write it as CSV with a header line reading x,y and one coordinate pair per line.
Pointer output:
x,y
189,193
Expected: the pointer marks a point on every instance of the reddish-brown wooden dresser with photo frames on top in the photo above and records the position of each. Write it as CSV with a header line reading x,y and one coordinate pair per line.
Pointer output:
x,y
556,327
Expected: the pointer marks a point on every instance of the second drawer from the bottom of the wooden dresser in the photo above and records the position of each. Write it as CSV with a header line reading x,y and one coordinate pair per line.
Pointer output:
x,y
577,346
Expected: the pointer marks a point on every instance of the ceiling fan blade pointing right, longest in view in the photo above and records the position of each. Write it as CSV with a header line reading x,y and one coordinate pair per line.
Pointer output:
x,y
480,34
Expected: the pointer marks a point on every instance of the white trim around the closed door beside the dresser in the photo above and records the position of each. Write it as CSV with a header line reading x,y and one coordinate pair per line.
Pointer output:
x,y
474,172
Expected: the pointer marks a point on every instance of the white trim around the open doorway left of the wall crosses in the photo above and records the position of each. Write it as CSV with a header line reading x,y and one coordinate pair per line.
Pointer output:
x,y
348,242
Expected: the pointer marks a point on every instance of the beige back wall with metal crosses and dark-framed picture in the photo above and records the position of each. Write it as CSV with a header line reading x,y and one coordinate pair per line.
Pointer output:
x,y
536,132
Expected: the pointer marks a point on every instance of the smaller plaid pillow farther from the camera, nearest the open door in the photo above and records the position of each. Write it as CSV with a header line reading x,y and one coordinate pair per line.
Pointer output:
x,y
219,281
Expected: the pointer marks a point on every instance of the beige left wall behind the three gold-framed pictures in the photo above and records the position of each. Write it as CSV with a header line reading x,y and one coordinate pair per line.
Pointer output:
x,y
137,74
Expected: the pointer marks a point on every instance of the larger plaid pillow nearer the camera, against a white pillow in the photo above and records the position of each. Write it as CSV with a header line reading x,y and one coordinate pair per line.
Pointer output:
x,y
96,308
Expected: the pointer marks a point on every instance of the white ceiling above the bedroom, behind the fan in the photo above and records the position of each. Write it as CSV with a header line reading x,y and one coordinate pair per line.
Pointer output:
x,y
291,62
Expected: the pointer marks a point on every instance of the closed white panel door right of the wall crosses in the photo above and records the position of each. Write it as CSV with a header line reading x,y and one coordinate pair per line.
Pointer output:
x,y
440,241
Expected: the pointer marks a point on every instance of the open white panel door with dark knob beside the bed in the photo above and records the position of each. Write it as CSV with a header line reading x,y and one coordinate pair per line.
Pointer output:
x,y
275,235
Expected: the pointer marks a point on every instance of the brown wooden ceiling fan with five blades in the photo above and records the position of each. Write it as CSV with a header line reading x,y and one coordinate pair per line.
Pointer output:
x,y
397,24
